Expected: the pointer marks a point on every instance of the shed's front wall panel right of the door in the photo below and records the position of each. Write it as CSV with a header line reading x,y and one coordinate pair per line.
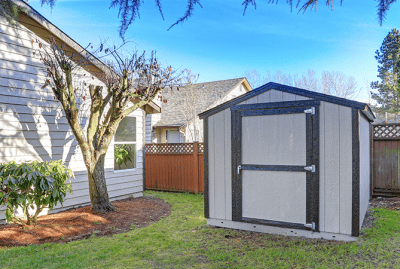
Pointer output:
x,y
335,168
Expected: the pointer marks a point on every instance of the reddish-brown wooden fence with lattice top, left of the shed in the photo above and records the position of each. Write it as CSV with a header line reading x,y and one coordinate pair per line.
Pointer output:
x,y
175,167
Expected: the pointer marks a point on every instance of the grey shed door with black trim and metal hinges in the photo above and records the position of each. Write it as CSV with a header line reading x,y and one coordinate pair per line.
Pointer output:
x,y
275,164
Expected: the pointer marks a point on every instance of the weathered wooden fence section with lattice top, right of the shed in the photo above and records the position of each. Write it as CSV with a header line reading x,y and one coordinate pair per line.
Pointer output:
x,y
385,159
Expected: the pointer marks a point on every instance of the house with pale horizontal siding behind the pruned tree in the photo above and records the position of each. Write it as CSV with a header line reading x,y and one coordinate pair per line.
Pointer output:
x,y
32,123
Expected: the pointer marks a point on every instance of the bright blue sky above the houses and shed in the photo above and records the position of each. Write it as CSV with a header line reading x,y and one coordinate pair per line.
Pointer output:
x,y
218,42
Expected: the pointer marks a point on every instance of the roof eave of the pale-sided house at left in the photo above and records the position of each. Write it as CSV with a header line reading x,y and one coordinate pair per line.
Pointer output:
x,y
31,19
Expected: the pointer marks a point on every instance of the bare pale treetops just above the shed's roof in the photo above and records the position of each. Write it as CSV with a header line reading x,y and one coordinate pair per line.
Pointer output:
x,y
333,83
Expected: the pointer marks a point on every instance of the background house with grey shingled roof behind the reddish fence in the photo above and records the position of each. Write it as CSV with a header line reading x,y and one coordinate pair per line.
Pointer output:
x,y
178,121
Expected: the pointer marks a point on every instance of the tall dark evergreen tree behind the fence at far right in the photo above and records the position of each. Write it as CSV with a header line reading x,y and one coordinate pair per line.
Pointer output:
x,y
388,89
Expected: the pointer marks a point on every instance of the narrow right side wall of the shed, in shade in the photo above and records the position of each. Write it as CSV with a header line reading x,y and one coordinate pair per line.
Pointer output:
x,y
364,166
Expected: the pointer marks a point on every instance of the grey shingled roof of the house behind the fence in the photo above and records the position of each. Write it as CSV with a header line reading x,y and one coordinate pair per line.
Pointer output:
x,y
207,94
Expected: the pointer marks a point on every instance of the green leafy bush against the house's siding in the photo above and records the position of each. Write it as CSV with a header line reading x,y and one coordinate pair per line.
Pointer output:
x,y
35,185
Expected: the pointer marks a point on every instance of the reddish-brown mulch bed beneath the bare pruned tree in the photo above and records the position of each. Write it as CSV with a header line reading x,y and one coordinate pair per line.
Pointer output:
x,y
82,223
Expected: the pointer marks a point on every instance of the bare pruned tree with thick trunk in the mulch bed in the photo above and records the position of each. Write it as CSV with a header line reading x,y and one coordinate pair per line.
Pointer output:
x,y
131,83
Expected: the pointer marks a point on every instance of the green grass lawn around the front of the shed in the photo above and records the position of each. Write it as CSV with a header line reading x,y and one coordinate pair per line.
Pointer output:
x,y
183,240
